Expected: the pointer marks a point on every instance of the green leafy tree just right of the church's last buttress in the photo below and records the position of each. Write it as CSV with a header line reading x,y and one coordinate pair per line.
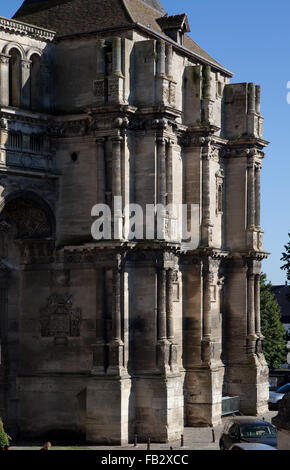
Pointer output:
x,y
274,345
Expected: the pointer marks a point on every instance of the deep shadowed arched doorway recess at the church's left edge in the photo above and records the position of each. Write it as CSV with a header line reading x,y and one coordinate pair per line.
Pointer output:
x,y
25,220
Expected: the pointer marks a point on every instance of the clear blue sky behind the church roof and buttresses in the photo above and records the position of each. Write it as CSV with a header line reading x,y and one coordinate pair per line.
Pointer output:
x,y
252,39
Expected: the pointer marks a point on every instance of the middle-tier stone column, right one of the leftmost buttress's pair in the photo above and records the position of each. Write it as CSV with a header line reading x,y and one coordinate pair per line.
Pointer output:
x,y
117,186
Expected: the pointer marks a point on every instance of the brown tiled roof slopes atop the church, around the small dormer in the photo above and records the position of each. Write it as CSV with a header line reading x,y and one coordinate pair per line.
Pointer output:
x,y
69,17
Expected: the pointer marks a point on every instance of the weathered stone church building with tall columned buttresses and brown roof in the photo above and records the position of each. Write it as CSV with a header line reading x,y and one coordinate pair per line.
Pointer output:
x,y
104,339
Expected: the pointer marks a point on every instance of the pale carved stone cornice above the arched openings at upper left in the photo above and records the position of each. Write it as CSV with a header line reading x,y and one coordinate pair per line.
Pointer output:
x,y
24,29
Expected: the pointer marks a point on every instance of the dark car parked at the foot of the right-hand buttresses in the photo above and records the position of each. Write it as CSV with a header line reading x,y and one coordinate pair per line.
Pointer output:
x,y
248,430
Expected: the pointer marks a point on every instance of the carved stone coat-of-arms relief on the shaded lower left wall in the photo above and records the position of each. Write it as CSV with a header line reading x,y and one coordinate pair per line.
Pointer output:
x,y
59,319
